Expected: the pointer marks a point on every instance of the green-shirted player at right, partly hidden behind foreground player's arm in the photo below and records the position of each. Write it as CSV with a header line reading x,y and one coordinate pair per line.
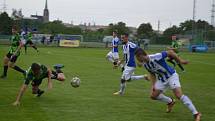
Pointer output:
x,y
175,48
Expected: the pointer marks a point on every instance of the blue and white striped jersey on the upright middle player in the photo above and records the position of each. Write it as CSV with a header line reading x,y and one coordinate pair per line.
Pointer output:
x,y
129,54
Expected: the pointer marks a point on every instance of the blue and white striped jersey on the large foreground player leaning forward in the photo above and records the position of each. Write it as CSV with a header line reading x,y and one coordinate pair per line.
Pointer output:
x,y
158,66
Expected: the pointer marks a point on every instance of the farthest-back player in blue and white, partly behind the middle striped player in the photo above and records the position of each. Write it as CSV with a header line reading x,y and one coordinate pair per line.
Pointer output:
x,y
113,55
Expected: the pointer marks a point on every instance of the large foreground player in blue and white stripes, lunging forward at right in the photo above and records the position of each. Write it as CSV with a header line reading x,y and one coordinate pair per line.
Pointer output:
x,y
163,76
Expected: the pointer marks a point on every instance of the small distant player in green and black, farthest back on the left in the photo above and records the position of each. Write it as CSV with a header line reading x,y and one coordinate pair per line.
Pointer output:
x,y
28,38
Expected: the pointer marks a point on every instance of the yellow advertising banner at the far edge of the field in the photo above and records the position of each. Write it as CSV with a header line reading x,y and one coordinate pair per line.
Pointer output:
x,y
69,43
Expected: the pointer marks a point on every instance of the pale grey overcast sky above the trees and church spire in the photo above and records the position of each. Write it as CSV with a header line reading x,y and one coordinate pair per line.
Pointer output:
x,y
103,12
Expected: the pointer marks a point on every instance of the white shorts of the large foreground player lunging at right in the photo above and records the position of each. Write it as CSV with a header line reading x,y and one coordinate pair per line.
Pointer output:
x,y
172,83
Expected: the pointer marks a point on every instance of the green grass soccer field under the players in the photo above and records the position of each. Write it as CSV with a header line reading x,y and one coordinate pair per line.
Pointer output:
x,y
93,100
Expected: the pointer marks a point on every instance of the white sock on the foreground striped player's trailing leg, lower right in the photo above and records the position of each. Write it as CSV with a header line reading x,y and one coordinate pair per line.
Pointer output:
x,y
187,102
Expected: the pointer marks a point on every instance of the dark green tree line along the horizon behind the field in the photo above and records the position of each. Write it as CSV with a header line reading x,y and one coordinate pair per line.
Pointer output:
x,y
144,31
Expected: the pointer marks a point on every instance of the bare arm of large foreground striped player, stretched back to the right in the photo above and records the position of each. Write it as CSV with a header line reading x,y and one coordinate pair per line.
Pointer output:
x,y
172,54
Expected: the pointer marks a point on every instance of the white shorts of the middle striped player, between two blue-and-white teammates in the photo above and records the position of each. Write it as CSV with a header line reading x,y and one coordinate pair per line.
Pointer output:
x,y
127,73
